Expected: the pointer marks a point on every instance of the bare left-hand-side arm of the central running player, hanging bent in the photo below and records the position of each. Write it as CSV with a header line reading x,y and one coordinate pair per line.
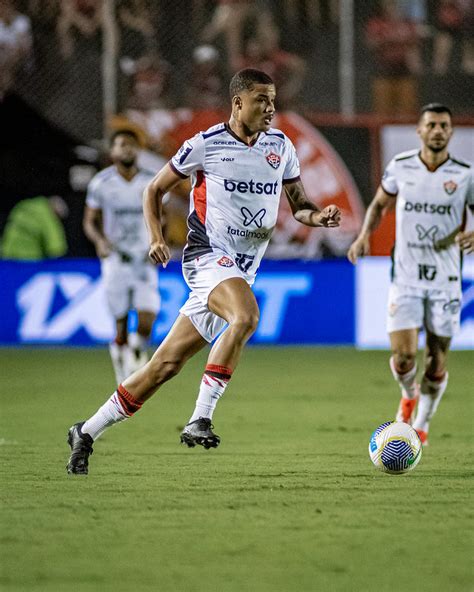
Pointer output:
x,y
153,195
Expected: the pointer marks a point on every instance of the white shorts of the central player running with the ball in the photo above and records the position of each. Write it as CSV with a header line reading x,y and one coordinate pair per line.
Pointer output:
x,y
202,275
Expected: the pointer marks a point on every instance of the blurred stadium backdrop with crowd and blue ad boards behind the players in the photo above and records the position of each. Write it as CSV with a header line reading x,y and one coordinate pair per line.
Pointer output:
x,y
162,68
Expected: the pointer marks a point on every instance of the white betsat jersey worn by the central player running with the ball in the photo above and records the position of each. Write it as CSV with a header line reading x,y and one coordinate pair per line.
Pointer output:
x,y
236,191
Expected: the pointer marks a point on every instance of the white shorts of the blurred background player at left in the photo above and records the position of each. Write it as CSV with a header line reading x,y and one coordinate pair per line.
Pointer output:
x,y
130,286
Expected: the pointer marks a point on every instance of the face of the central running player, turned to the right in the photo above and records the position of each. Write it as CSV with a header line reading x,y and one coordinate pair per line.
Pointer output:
x,y
258,107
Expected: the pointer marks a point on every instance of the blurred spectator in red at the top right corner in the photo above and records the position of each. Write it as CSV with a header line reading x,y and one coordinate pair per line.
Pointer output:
x,y
454,24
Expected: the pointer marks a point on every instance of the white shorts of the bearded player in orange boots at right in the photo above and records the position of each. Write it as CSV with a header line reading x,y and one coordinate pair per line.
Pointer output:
x,y
409,307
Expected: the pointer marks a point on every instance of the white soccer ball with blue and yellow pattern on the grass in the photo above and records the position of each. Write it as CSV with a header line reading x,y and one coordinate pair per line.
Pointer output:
x,y
395,448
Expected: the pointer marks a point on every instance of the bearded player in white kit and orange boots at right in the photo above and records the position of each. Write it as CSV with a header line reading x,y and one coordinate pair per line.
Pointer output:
x,y
432,190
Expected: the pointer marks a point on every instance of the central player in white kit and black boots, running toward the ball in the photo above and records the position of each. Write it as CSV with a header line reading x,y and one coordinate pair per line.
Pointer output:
x,y
238,171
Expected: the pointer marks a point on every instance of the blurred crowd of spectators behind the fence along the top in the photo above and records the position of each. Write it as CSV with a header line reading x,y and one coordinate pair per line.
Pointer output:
x,y
406,49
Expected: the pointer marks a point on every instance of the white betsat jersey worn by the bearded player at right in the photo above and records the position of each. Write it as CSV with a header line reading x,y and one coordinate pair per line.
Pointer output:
x,y
430,210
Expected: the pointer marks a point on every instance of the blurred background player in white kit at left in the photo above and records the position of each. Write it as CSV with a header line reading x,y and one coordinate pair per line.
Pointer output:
x,y
114,222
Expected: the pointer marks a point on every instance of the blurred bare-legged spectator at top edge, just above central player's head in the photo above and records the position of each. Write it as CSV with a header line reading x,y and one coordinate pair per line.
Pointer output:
x,y
230,19
